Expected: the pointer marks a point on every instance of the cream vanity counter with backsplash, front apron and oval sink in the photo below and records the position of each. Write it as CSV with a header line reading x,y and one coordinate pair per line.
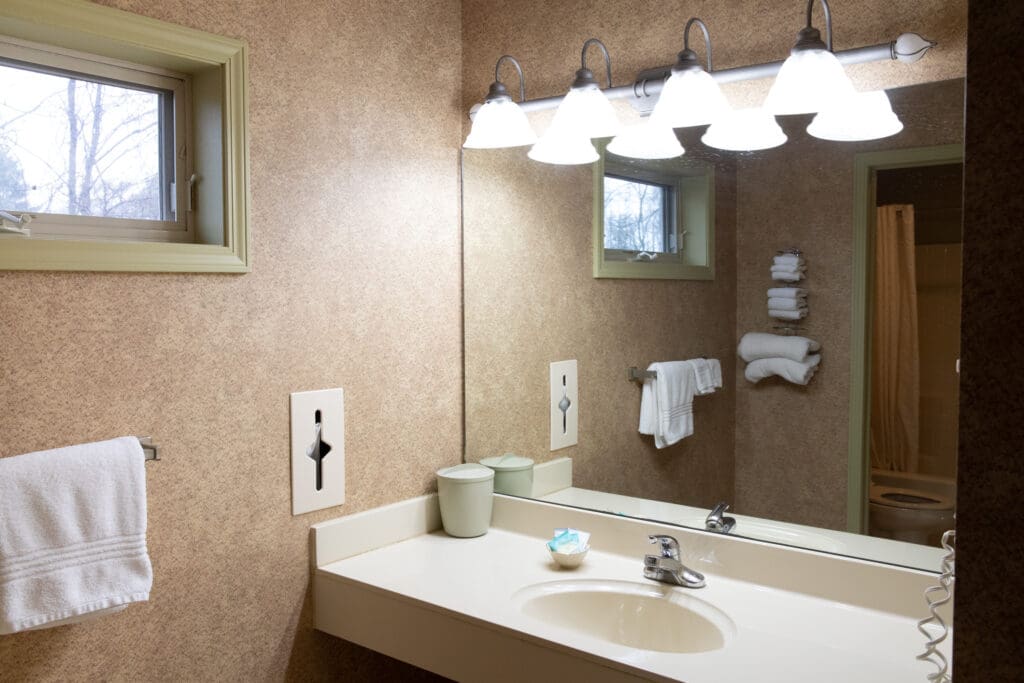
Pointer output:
x,y
497,609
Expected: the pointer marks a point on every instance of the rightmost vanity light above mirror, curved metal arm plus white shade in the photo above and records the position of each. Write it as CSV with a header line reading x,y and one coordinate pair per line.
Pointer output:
x,y
813,77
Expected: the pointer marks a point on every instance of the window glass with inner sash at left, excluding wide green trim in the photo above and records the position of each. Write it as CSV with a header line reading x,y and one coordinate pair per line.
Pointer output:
x,y
92,148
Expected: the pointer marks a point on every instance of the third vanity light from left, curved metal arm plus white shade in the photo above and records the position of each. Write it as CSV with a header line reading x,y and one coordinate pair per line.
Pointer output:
x,y
691,97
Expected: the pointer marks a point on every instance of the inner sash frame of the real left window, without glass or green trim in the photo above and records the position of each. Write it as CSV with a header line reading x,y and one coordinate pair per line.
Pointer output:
x,y
83,67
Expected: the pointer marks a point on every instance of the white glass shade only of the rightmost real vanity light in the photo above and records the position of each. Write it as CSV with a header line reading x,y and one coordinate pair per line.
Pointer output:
x,y
808,82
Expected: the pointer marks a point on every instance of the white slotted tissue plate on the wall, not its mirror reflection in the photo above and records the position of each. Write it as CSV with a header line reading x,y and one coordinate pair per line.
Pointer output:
x,y
313,490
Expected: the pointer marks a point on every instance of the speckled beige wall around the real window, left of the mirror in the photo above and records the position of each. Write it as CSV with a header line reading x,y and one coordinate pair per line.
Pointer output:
x,y
355,284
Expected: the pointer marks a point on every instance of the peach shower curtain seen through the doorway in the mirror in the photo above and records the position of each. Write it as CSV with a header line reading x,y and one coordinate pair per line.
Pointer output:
x,y
895,374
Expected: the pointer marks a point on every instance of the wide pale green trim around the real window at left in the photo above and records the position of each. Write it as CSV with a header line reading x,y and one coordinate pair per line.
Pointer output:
x,y
219,67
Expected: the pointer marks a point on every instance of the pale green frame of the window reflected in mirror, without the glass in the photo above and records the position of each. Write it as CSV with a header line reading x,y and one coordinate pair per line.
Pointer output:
x,y
694,182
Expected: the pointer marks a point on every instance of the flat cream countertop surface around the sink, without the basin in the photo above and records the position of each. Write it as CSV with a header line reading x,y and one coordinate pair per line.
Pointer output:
x,y
781,635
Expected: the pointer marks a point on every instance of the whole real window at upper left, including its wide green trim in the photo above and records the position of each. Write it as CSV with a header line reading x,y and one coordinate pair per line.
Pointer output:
x,y
123,140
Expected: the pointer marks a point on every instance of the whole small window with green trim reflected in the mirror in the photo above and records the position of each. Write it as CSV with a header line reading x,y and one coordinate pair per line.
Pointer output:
x,y
654,220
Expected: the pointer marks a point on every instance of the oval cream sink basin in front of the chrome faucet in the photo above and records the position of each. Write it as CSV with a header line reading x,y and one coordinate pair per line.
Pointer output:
x,y
654,617
